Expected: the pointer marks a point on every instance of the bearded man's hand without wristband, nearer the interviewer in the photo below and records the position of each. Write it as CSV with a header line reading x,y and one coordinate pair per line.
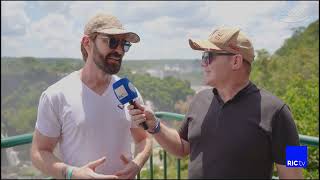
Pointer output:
x,y
130,170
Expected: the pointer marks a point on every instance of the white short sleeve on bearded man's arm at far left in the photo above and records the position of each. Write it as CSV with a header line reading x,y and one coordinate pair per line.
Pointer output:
x,y
47,120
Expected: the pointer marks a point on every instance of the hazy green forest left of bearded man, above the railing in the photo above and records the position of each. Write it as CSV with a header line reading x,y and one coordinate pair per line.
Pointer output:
x,y
23,80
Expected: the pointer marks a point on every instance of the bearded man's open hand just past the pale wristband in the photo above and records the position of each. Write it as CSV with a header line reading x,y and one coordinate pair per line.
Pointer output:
x,y
88,171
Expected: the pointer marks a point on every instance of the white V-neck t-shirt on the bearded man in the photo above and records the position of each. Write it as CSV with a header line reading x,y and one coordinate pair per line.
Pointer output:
x,y
90,126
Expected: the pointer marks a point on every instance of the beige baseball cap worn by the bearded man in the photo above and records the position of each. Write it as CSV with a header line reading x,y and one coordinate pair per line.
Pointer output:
x,y
108,24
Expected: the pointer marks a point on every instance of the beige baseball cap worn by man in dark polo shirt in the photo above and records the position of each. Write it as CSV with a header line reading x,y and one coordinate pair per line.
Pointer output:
x,y
226,39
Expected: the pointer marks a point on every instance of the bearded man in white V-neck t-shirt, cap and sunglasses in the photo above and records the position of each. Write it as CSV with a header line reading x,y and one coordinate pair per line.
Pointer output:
x,y
81,113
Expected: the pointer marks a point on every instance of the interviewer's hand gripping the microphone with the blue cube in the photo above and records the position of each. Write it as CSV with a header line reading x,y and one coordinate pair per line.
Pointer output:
x,y
142,114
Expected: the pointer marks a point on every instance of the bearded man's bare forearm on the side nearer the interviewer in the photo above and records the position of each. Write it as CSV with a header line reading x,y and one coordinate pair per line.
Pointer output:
x,y
143,151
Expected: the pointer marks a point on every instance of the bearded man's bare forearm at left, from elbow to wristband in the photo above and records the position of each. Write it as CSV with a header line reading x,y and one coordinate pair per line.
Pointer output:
x,y
49,164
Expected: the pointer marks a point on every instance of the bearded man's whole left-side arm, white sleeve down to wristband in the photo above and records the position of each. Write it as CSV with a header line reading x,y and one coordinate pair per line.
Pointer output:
x,y
42,146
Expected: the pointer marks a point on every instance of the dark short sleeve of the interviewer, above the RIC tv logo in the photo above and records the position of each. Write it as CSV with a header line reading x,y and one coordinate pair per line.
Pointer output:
x,y
284,133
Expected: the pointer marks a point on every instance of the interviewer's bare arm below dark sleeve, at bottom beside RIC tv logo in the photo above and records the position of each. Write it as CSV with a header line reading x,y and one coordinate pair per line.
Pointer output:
x,y
289,173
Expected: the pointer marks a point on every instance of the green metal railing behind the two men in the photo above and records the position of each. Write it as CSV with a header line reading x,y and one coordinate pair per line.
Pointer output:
x,y
27,138
